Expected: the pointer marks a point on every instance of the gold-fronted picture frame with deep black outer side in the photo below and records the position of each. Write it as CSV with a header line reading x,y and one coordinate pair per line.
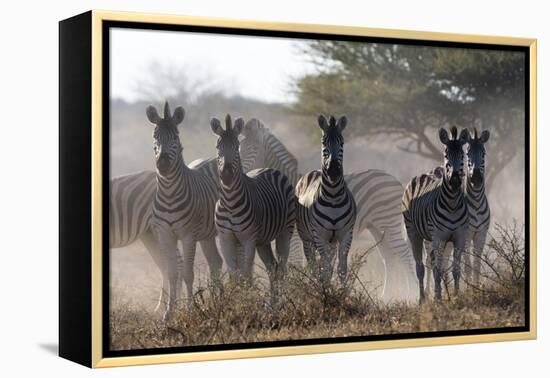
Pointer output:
x,y
90,329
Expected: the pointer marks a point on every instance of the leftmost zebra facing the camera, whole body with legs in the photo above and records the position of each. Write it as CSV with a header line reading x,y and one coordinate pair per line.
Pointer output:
x,y
183,206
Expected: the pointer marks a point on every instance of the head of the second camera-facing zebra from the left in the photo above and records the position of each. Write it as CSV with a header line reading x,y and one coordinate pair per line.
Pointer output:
x,y
229,160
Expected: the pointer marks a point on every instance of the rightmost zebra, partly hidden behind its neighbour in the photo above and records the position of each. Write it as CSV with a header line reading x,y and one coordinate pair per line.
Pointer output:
x,y
478,206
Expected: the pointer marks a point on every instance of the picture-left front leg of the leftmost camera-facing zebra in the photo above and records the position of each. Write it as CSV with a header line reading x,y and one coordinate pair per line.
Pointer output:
x,y
168,245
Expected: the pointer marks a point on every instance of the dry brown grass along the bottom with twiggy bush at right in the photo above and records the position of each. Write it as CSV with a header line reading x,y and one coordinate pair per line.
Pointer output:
x,y
237,312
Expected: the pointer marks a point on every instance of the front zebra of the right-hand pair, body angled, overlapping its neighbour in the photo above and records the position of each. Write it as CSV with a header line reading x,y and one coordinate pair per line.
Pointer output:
x,y
436,210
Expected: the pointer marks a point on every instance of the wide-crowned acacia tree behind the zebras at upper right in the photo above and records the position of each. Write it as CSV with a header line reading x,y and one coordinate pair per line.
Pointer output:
x,y
408,91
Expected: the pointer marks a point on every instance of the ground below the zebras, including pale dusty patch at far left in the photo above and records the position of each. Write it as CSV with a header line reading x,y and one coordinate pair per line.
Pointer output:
x,y
231,313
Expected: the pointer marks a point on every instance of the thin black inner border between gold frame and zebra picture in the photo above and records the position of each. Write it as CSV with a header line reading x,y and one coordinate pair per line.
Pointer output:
x,y
107,25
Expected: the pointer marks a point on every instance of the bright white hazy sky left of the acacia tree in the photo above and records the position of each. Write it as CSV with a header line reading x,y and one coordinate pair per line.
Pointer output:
x,y
256,67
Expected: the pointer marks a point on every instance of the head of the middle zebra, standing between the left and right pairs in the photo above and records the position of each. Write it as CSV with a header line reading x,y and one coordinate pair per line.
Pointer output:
x,y
332,146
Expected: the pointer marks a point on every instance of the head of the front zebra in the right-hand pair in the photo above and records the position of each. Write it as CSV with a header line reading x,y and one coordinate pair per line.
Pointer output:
x,y
454,155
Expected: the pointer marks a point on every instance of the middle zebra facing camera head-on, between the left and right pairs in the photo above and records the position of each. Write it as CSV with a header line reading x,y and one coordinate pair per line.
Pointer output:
x,y
326,210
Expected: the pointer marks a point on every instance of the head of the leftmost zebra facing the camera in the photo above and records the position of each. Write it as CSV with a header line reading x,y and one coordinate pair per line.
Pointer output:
x,y
166,142
